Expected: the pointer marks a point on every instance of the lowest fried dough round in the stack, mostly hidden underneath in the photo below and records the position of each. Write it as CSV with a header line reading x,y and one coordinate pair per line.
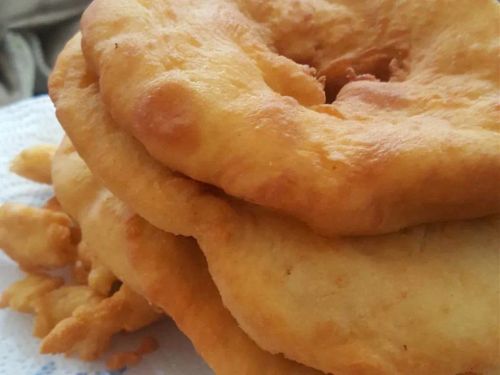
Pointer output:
x,y
169,271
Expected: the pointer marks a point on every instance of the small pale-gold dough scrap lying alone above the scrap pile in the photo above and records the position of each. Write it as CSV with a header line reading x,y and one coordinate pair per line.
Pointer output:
x,y
34,163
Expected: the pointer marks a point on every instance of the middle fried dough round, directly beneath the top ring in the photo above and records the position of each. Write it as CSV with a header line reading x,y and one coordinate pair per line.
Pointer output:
x,y
390,304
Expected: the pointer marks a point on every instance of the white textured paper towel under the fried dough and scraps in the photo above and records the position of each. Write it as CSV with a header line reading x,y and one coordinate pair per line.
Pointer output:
x,y
28,123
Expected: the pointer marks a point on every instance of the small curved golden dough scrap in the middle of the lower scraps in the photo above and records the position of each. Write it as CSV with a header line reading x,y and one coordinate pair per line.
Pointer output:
x,y
52,307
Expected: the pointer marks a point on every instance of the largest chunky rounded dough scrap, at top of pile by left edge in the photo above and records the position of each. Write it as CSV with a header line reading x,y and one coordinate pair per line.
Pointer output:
x,y
36,237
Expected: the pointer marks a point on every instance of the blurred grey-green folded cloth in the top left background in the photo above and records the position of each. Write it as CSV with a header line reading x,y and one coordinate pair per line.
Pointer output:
x,y
32,32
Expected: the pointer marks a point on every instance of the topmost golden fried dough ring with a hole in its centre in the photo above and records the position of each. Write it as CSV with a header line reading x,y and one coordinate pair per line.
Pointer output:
x,y
214,89
